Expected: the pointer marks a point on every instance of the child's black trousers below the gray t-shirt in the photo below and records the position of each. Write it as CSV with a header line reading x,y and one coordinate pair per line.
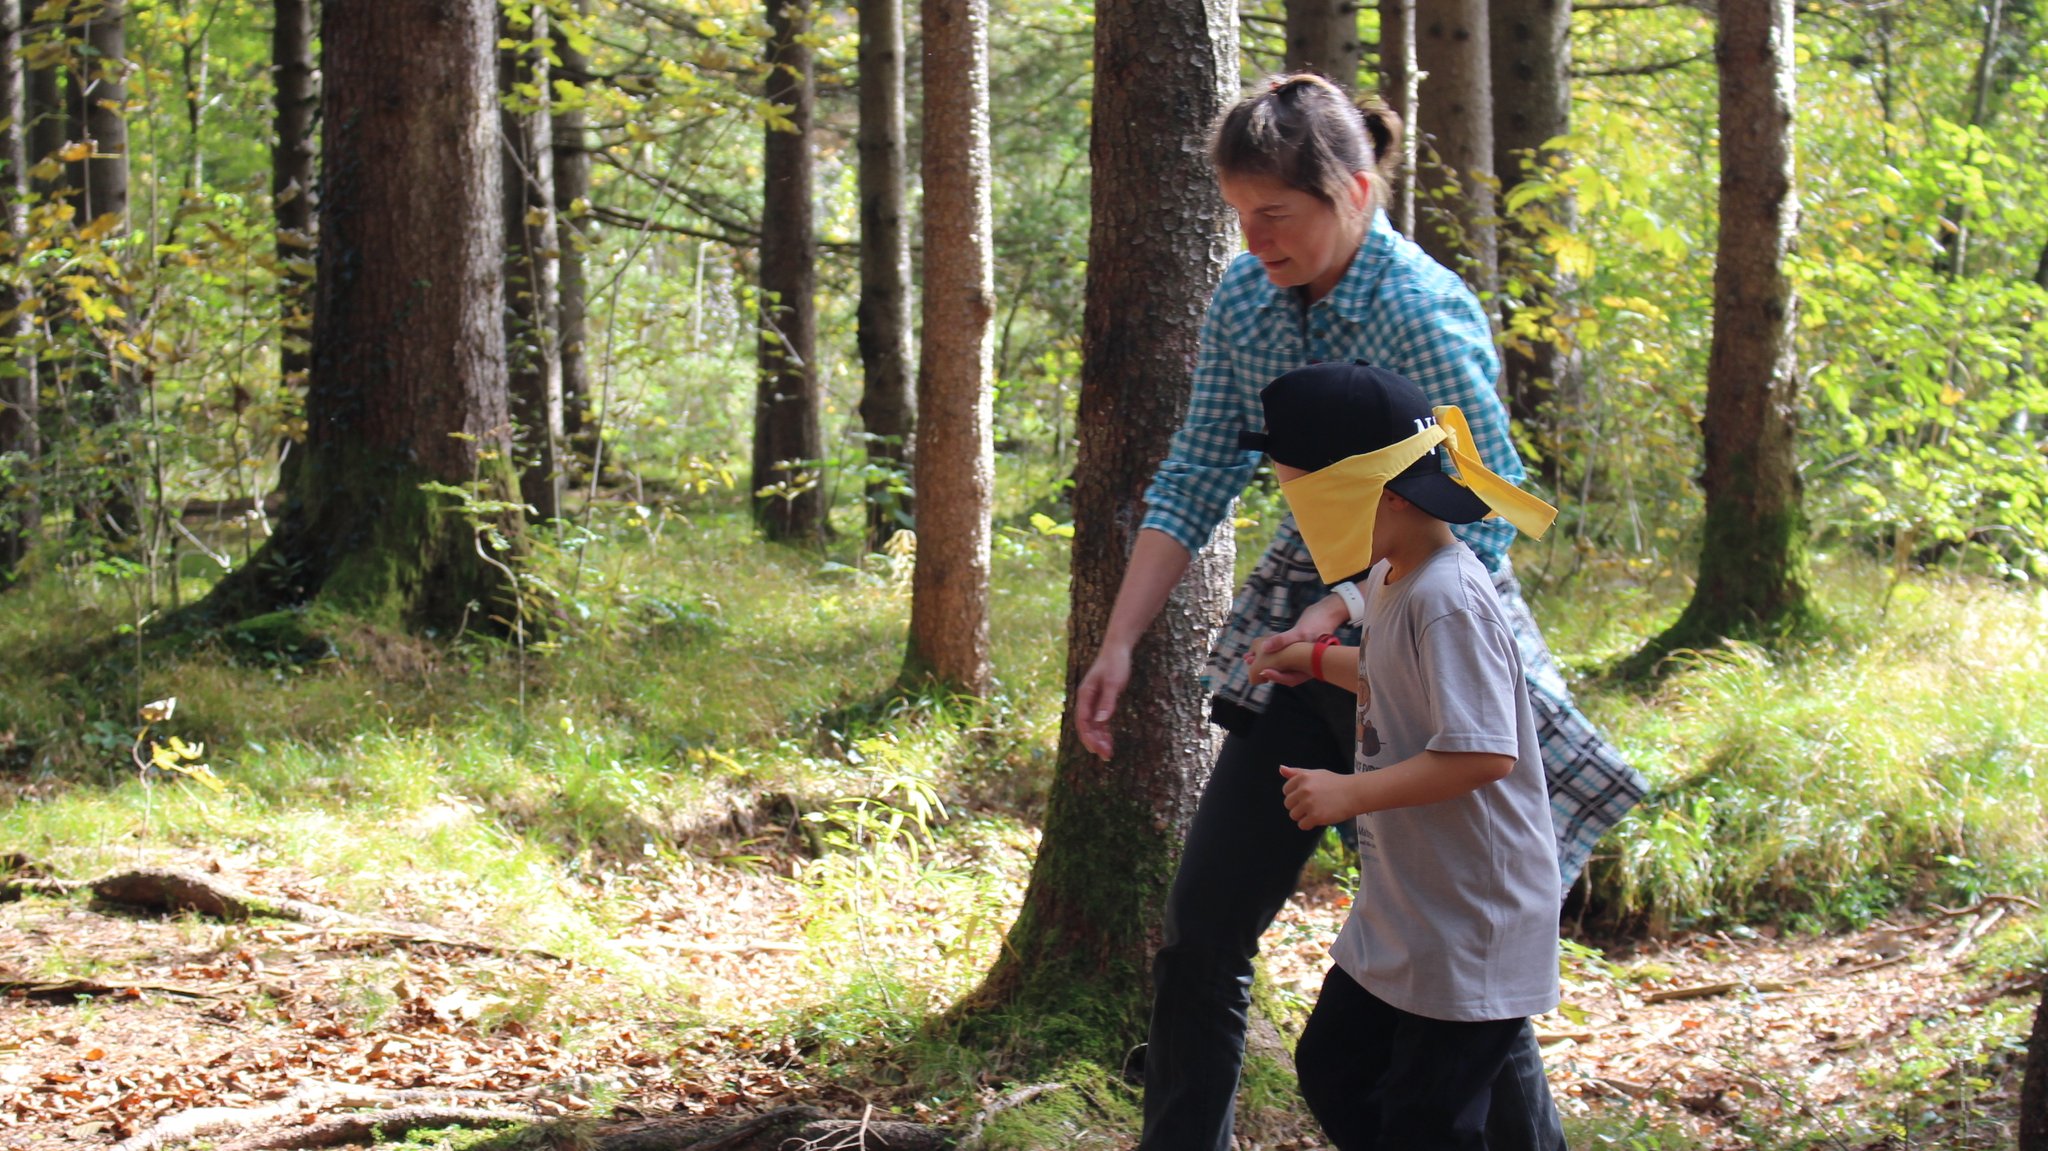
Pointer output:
x,y
1385,1080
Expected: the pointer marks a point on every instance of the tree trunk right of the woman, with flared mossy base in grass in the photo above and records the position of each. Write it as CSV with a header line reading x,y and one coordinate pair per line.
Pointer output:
x,y
1754,550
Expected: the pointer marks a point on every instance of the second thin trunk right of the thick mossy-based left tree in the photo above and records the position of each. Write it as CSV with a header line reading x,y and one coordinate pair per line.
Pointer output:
x,y
579,232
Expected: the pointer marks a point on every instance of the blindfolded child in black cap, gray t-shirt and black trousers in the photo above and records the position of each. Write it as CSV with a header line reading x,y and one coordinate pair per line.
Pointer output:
x,y
1453,939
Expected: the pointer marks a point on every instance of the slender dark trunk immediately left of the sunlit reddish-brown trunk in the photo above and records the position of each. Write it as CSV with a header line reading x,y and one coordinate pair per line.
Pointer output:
x,y
888,407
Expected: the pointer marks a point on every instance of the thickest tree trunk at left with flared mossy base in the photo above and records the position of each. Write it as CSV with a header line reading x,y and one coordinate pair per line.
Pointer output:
x,y
409,376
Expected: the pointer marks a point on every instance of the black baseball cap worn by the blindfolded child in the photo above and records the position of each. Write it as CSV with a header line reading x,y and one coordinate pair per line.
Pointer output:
x,y
1324,415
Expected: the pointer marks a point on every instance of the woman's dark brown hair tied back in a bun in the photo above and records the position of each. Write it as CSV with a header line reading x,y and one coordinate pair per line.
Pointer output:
x,y
1308,134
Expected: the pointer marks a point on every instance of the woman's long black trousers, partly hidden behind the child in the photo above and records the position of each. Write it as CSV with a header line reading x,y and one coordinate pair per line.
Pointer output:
x,y
1240,865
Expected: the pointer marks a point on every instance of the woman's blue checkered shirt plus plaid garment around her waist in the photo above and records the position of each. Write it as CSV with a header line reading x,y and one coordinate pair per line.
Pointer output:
x,y
1396,308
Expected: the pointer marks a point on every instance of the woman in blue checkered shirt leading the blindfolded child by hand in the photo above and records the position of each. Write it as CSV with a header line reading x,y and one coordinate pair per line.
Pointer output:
x,y
1324,280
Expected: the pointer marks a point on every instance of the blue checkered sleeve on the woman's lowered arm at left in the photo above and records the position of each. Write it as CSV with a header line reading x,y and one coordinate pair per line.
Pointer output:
x,y
1203,468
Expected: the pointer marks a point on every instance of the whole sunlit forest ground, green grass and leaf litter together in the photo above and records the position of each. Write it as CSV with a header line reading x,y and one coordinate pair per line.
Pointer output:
x,y
746,867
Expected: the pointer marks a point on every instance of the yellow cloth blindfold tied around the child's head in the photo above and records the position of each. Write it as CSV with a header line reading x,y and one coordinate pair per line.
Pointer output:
x,y
1336,507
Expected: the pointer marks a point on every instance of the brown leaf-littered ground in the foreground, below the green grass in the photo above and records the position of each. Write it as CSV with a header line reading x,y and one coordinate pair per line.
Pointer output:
x,y
118,1023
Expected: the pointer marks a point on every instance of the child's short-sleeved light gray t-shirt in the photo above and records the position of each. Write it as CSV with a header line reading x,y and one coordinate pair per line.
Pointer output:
x,y
1457,902
